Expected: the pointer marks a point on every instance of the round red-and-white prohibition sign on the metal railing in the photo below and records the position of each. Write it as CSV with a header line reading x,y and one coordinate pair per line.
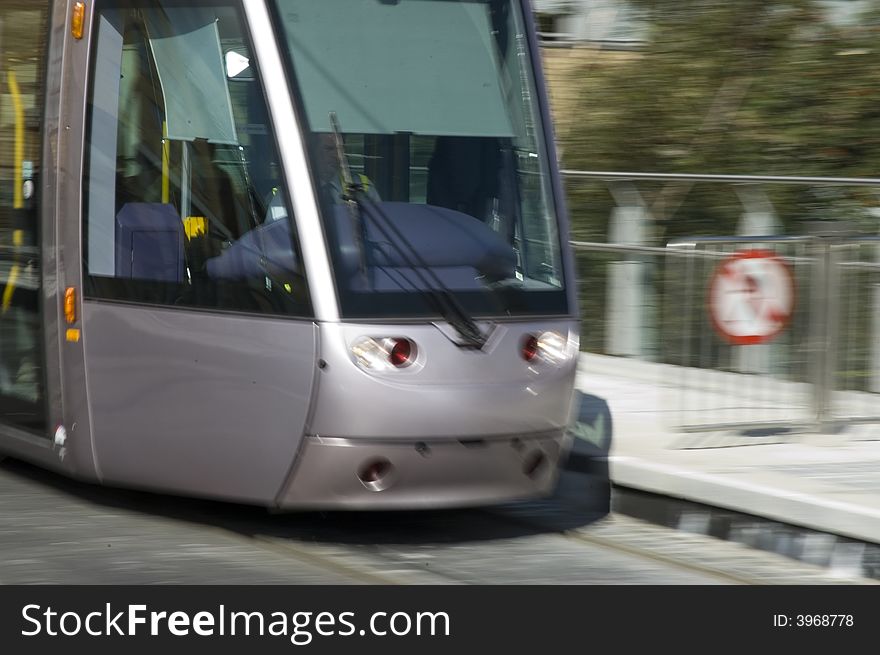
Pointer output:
x,y
751,297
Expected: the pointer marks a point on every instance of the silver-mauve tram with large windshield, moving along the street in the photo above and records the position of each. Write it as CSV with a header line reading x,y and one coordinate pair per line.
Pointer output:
x,y
291,253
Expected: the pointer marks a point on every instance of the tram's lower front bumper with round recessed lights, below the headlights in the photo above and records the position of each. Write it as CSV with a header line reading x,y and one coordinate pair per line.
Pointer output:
x,y
421,474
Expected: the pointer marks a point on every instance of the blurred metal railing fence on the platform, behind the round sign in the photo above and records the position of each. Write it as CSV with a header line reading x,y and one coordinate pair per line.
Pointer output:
x,y
820,372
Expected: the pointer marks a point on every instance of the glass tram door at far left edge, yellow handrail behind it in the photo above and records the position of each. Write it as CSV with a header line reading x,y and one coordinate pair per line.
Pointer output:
x,y
23,29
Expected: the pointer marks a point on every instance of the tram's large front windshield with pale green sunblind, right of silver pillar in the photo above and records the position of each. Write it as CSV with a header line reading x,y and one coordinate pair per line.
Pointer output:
x,y
426,143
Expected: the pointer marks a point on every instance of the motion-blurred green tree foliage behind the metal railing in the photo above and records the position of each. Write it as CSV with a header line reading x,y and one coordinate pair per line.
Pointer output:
x,y
769,87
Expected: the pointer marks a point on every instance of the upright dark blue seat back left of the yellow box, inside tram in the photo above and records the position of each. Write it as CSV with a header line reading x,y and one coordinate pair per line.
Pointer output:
x,y
149,242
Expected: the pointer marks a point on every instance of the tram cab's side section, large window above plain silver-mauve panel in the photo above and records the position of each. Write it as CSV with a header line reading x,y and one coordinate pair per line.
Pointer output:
x,y
197,331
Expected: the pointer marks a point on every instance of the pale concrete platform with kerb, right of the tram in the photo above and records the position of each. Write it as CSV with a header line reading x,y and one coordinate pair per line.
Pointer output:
x,y
823,483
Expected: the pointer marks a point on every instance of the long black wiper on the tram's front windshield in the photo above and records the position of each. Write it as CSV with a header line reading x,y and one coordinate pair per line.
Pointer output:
x,y
443,298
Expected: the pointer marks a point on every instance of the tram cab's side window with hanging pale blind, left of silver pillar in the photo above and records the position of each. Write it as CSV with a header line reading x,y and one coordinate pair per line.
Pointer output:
x,y
184,201
